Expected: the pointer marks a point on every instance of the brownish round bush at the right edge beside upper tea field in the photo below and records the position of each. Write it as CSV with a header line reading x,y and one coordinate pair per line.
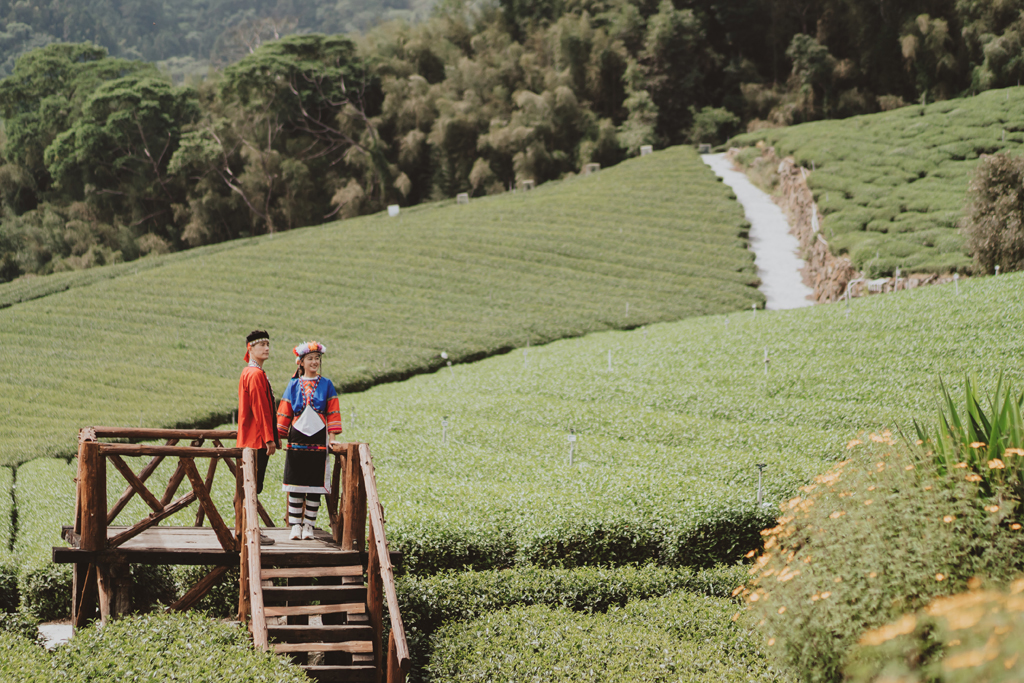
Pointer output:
x,y
995,222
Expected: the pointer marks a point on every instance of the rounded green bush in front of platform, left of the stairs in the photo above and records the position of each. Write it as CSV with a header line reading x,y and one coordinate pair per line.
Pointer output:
x,y
181,647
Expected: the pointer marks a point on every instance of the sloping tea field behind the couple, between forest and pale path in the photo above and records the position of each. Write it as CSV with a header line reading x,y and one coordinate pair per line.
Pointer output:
x,y
160,344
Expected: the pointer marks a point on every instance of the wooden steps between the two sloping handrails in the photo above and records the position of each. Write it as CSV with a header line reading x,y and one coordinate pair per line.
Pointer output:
x,y
319,616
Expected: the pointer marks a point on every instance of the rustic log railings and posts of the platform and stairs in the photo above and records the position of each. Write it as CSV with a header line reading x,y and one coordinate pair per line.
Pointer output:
x,y
101,560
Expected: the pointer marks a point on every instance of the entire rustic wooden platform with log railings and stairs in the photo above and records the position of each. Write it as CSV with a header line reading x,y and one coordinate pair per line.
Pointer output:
x,y
321,603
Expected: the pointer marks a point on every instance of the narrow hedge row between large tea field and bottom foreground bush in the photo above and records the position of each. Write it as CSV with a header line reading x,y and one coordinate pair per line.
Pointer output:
x,y
429,603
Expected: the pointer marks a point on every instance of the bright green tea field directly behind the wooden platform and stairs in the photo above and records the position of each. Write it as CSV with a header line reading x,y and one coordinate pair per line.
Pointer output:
x,y
669,441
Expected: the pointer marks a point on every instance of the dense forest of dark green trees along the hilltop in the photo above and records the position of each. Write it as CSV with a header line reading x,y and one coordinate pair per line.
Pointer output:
x,y
105,158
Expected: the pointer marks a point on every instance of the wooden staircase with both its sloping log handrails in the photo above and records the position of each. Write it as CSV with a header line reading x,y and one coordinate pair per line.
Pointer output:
x,y
314,606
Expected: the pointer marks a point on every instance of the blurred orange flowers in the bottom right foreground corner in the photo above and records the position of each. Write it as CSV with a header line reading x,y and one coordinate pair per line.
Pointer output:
x,y
964,638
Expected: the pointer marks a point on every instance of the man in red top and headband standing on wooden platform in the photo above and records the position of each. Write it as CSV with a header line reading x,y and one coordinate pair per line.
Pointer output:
x,y
258,419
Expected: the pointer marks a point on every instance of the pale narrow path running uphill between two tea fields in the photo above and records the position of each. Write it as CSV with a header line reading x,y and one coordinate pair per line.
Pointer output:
x,y
775,247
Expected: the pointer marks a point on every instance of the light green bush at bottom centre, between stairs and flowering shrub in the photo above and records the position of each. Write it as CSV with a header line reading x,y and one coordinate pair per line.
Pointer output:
x,y
680,637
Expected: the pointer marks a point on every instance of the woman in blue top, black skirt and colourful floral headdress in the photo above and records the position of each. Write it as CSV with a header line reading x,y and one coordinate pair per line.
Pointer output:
x,y
308,416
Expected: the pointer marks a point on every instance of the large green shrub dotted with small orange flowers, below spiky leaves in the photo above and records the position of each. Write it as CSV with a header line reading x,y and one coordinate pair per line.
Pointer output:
x,y
878,536
